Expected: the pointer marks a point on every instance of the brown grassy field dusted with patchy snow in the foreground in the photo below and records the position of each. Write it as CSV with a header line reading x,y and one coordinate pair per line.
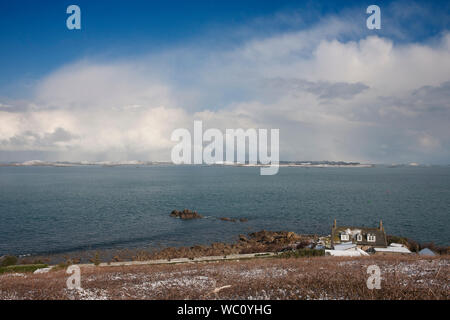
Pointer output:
x,y
402,277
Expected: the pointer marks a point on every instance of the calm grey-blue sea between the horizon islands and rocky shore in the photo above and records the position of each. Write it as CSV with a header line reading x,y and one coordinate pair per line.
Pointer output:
x,y
54,210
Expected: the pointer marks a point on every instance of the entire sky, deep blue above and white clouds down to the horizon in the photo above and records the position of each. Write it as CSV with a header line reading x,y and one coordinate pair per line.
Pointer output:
x,y
137,70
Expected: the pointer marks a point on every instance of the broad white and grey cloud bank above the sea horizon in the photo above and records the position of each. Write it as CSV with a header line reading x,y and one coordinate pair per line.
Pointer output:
x,y
366,99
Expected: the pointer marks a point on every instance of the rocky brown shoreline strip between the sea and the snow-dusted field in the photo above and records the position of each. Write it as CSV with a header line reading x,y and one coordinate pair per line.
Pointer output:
x,y
255,242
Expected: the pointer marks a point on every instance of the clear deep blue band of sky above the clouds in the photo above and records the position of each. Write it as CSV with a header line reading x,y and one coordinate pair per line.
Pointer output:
x,y
35,39
